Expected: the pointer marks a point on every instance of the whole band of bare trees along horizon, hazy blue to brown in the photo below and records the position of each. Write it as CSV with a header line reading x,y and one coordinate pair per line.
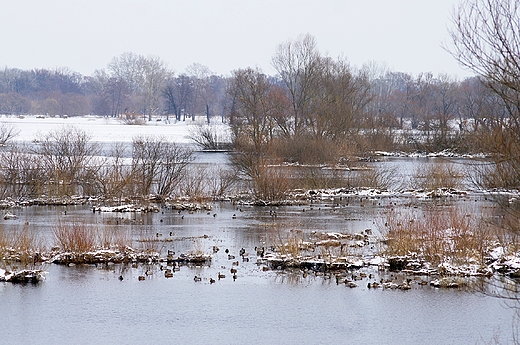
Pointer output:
x,y
311,94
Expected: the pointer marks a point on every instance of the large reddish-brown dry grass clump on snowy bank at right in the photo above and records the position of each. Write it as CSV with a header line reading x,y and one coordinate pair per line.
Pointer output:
x,y
450,235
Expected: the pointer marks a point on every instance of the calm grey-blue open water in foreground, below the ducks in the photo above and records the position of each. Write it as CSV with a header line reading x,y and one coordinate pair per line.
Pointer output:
x,y
85,305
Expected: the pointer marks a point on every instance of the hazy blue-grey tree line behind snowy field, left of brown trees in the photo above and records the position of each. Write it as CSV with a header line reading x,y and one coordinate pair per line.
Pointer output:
x,y
131,85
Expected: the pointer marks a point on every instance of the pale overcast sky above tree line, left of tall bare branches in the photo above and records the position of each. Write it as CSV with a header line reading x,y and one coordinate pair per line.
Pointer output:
x,y
405,35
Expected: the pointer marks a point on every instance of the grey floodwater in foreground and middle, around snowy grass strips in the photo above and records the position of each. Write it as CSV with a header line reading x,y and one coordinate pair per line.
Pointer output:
x,y
90,305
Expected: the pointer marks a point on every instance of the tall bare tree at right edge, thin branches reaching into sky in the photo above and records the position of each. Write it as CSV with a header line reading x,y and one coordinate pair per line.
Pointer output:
x,y
486,39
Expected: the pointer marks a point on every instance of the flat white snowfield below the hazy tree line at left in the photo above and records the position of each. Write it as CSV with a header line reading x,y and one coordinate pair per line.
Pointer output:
x,y
104,129
